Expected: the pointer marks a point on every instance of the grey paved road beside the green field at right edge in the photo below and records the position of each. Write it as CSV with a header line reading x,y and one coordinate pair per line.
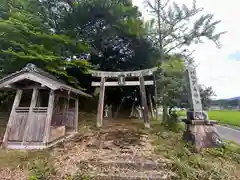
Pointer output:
x,y
227,133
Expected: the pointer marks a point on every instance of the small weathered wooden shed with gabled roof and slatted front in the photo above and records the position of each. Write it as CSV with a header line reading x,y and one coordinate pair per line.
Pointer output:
x,y
44,111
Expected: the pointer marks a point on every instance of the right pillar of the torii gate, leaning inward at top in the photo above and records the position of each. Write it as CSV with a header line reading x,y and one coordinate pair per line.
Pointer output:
x,y
144,102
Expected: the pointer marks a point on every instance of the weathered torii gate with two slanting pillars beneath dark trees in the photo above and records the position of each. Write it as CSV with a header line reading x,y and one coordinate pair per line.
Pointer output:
x,y
120,80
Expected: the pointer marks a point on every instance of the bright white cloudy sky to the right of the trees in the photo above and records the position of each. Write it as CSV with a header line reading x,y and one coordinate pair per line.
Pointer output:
x,y
219,68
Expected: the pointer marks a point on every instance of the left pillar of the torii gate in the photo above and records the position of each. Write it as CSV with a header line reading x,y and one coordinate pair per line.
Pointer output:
x,y
101,103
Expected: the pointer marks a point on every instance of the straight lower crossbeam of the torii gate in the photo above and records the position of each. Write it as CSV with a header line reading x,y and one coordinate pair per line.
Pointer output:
x,y
127,83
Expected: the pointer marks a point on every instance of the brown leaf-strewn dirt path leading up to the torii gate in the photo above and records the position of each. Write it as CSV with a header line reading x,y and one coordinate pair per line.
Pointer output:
x,y
116,151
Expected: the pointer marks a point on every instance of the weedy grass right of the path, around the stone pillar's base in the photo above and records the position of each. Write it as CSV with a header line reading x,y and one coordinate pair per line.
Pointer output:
x,y
219,163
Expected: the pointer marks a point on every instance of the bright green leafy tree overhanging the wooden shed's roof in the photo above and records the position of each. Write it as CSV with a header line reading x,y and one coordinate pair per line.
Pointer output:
x,y
25,38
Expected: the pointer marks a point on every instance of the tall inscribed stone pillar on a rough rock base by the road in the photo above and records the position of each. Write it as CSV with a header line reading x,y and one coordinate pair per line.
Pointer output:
x,y
199,129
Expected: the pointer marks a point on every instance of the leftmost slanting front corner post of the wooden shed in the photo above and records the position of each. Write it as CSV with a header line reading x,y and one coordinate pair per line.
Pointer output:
x,y
16,102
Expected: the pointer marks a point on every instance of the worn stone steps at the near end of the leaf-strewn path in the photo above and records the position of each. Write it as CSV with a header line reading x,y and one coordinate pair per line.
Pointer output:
x,y
129,170
